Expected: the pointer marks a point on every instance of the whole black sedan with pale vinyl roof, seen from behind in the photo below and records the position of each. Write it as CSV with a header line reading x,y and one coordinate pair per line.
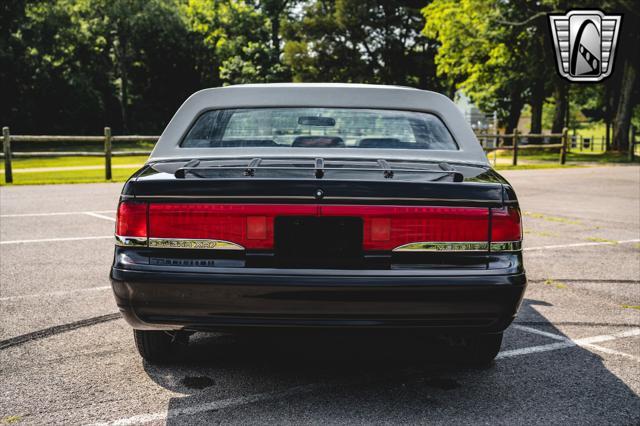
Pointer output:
x,y
318,206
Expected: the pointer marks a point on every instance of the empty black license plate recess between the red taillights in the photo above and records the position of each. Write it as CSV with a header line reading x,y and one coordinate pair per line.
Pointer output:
x,y
312,240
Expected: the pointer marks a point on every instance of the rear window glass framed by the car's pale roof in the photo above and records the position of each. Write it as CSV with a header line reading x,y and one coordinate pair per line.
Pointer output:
x,y
318,128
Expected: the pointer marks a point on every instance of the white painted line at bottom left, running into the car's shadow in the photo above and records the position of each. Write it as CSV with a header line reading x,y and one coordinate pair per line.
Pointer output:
x,y
209,406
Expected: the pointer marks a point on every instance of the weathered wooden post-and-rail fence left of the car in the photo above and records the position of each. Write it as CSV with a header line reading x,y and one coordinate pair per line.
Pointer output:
x,y
107,140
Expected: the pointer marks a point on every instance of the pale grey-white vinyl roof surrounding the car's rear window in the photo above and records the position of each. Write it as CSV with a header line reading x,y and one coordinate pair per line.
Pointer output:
x,y
319,95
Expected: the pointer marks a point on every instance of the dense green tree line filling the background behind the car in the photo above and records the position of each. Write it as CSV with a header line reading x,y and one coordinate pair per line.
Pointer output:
x,y
75,66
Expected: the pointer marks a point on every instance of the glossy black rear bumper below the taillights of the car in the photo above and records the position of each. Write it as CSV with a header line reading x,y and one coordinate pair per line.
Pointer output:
x,y
251,298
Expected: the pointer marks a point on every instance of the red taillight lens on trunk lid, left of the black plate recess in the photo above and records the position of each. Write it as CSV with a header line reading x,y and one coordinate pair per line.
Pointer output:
x,y
249,225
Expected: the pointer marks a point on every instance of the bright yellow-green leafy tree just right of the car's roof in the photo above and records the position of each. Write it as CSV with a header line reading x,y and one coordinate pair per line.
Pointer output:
x,y
480,57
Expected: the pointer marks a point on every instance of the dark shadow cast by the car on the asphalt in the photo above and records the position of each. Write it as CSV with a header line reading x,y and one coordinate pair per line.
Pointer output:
x,y
397,379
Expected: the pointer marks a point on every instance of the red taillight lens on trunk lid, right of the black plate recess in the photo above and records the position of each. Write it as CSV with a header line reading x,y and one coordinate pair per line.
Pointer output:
x,y
388,227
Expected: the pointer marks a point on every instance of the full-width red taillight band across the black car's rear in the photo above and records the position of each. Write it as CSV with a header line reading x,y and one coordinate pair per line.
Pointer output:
x,y
385,228
